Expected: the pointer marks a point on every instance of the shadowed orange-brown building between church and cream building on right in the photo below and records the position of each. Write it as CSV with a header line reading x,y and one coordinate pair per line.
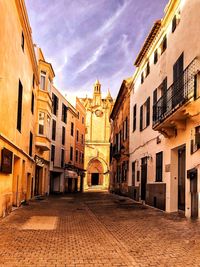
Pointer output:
x,y
120,120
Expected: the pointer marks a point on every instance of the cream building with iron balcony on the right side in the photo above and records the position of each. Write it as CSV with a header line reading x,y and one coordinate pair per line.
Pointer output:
x,y
164,136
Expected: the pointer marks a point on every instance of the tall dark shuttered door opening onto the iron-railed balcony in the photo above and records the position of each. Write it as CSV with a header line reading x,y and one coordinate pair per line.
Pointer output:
x,y
178,81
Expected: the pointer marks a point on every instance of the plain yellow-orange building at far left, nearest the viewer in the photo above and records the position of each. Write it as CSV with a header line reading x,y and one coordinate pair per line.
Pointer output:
x,y
18,82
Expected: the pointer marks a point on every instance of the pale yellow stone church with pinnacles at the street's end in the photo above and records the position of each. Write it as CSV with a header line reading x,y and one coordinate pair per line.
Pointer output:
x,y
97,139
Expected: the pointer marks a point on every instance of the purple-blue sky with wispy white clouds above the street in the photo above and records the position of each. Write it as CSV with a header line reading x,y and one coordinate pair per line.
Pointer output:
x,y
87,40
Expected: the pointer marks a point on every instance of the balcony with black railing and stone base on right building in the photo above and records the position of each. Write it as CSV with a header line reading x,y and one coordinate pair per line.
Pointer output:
x,y
178,102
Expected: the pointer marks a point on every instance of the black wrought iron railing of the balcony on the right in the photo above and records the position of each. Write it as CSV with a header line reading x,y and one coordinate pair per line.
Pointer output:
x,y
181,91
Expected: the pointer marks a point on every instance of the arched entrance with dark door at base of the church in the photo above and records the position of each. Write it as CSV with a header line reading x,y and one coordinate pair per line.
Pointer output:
x,y
95,173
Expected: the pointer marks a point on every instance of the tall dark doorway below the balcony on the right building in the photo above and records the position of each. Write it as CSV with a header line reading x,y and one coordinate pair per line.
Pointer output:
x,y
181,179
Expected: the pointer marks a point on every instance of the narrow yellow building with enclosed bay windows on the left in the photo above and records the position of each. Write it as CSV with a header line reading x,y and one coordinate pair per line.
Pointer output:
x,y
43,125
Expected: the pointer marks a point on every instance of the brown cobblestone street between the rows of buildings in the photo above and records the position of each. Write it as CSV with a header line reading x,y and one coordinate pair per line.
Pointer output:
x,y
96,229
